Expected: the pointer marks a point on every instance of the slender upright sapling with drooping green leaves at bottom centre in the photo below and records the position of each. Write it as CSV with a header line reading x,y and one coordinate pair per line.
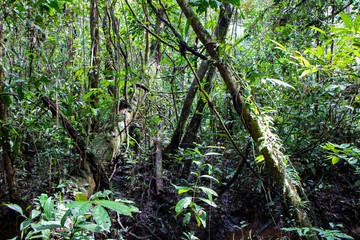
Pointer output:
x,y
191,204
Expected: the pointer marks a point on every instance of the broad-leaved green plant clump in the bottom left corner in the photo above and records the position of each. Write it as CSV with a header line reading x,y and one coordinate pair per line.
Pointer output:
x,y
71,220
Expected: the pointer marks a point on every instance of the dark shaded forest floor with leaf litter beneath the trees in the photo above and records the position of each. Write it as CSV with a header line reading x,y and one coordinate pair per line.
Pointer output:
x,y
247,210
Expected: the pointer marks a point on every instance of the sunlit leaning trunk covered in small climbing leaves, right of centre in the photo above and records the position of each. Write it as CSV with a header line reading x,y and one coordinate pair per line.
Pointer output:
x,y
253,120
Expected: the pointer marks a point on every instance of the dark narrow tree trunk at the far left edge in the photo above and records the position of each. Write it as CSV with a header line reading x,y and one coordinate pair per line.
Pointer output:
x,y
7,163
